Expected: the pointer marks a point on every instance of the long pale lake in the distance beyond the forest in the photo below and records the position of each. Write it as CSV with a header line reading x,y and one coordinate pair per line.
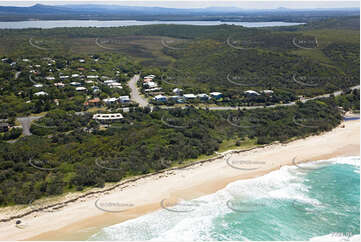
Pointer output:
x,y
44,24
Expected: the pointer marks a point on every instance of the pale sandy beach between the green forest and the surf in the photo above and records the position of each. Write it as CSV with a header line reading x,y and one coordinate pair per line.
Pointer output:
x,y
84,217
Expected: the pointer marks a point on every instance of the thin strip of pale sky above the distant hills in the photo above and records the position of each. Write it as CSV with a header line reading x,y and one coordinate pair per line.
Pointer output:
x,y
292,4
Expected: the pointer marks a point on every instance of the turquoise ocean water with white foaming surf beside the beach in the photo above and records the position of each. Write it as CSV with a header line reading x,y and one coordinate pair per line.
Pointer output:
x,y
309,202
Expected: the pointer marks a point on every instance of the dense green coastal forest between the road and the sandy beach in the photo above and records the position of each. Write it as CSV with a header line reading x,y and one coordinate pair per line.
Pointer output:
x,y
79,154
